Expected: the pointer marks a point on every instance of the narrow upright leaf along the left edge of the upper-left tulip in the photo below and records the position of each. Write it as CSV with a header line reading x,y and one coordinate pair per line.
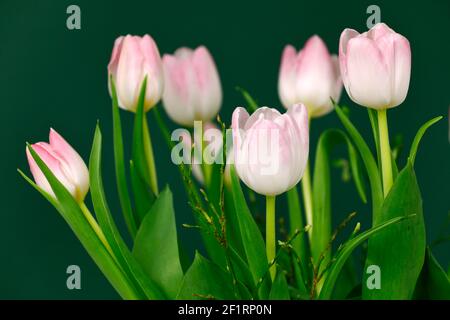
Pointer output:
x,y
119,163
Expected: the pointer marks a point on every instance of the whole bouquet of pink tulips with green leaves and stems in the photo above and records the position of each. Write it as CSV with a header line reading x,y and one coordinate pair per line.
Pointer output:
x,y
243,257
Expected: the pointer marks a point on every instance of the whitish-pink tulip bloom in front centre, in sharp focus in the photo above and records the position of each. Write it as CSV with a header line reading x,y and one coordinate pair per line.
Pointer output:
x,y
270,149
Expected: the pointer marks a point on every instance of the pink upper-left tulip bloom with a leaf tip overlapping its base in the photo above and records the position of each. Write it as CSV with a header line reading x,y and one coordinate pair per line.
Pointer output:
x,y
134,58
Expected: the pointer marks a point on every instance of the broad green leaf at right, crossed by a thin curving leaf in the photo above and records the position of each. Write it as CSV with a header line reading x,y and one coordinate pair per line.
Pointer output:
x,y
398,251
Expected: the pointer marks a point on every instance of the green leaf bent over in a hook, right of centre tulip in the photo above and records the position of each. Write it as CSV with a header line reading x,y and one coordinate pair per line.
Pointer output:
x,y
321,230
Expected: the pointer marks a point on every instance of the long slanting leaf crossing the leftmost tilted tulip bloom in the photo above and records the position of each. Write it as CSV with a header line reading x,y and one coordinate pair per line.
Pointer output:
x,y
73,215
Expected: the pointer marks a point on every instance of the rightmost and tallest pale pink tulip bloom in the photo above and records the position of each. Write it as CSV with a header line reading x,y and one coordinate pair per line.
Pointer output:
x,y
375,66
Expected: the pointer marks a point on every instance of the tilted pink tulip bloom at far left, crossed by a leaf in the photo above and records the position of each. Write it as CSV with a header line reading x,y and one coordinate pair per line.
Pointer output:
x,y
65,163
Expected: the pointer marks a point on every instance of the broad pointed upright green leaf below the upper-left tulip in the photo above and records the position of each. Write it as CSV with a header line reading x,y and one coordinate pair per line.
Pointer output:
x,y
156,245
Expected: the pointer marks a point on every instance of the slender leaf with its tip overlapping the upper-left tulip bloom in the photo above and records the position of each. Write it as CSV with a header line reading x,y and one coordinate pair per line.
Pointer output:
x,y
143,194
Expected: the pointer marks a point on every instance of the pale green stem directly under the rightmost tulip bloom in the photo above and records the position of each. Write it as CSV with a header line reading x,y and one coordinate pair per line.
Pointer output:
x,y
386,165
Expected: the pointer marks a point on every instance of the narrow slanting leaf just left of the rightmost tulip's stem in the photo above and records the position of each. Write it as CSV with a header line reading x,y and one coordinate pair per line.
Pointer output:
x,y
368,160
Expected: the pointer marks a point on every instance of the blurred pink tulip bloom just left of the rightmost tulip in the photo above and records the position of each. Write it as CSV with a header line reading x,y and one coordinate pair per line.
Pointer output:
x,y
310,76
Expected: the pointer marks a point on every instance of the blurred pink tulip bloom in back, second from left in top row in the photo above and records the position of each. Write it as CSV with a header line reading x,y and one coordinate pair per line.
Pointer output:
x,y
192,86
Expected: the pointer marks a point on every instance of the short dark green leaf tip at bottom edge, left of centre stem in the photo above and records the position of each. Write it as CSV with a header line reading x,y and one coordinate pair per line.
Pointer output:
x,y
205,280
